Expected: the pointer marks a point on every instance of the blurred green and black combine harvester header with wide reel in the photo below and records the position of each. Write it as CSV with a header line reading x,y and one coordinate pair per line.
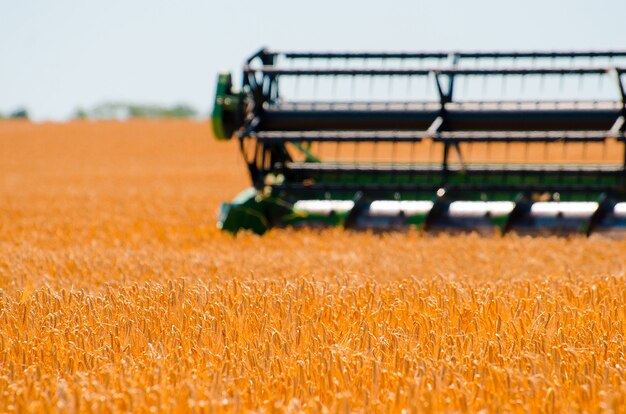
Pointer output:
x,y
530,142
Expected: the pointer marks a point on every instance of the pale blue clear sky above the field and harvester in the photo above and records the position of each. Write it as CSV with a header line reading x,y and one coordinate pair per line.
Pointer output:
x,y
57,55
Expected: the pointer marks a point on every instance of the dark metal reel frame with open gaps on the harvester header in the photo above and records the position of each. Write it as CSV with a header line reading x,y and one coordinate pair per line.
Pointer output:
x,y
268,128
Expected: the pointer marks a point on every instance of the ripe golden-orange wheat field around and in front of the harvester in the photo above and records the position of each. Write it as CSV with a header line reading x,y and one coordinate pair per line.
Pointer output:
x,y
119,294
